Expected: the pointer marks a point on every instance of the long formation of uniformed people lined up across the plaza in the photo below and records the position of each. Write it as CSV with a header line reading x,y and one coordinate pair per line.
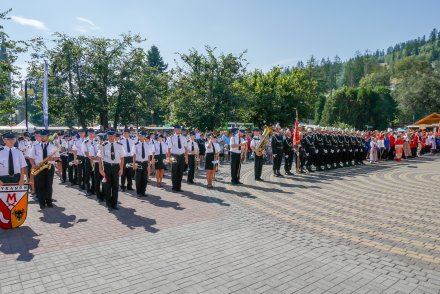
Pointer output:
x,y
104,163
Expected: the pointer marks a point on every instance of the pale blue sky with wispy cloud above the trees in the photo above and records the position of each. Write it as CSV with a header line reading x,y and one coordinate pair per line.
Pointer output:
x,y
276,32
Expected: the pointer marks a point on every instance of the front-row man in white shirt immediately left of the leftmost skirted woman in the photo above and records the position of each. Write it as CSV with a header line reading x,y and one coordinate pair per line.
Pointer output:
x,y
142,153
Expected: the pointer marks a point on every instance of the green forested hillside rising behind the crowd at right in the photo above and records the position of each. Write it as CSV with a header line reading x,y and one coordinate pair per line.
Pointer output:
x,y
409,69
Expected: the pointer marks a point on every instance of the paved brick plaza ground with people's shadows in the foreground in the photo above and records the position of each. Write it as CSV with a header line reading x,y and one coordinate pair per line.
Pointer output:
x,y
364,229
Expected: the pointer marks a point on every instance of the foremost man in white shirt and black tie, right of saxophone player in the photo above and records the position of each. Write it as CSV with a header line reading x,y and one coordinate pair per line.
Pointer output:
x,y
111,164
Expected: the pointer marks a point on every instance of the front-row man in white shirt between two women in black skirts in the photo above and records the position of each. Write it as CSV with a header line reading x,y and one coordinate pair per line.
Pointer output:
x,y
178,151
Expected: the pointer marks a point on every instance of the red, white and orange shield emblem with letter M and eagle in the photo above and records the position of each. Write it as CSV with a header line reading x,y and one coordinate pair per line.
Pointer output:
x,y
13,206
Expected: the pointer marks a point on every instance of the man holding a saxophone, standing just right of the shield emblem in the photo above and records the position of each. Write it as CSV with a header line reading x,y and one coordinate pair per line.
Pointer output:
x,y
44,180
